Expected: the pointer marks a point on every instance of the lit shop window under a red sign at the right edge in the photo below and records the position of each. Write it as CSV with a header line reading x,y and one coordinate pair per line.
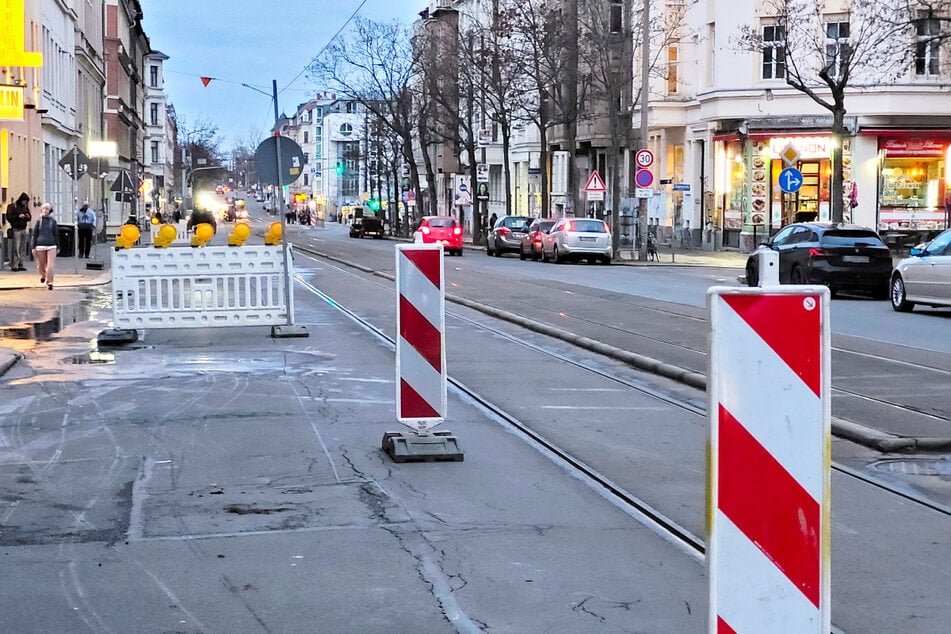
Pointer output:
x,y
914,183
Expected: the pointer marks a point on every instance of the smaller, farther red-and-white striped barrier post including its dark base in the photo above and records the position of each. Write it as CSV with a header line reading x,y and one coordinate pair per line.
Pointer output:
x,y
420,356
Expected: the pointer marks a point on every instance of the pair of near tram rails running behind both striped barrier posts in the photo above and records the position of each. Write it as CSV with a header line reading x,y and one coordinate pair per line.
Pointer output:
x,y
654,518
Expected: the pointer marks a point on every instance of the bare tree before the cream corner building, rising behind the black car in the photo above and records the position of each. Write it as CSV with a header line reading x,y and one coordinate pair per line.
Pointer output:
x,y
823,57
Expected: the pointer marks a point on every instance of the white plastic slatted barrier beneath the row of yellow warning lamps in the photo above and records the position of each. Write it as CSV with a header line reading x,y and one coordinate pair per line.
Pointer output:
x,y
184,287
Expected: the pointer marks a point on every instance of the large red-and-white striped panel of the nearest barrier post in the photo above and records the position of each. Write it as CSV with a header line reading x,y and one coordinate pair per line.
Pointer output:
x,y
770,450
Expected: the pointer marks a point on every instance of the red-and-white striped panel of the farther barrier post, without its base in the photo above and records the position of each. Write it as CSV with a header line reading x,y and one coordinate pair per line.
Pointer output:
x,y
420,344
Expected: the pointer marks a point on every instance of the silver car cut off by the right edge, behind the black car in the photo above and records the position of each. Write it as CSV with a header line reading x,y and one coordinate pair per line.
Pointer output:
x,y
925,276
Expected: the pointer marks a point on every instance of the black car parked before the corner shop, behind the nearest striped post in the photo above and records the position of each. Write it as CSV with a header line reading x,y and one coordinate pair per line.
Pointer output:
x,y
842,257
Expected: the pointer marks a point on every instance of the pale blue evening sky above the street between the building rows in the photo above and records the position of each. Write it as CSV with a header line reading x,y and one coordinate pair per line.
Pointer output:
x,y
251,42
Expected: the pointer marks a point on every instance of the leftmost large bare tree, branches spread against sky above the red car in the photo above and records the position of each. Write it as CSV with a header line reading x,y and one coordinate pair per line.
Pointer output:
x,y
376,65
